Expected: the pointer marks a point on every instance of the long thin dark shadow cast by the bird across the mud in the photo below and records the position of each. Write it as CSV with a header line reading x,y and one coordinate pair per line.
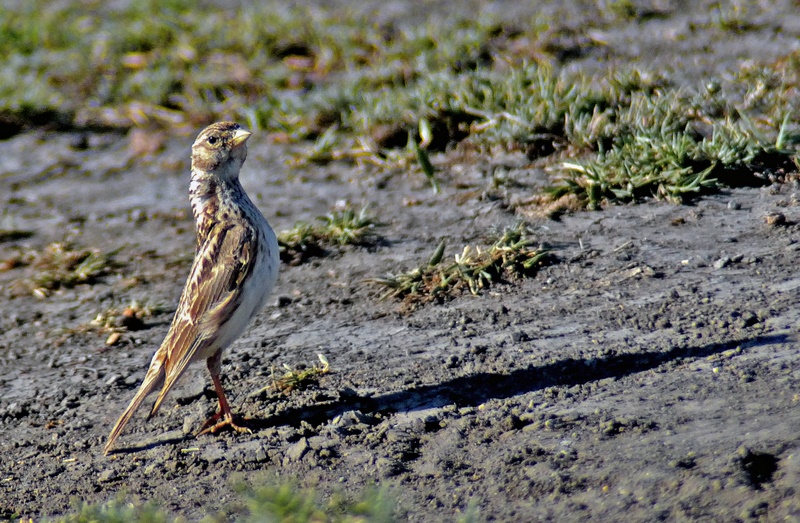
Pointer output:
x,y
475,389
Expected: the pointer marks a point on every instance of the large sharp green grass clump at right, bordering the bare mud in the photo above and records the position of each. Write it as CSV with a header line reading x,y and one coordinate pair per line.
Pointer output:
x,y
654,151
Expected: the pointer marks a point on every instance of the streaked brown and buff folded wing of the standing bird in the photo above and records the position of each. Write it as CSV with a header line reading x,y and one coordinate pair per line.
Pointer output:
x,y
210,296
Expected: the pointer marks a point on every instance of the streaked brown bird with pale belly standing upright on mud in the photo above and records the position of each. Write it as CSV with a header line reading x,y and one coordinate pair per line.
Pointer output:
x,y
234,270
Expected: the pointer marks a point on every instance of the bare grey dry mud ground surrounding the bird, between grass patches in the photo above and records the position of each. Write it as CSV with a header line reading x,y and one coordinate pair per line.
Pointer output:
x,y
651,375
